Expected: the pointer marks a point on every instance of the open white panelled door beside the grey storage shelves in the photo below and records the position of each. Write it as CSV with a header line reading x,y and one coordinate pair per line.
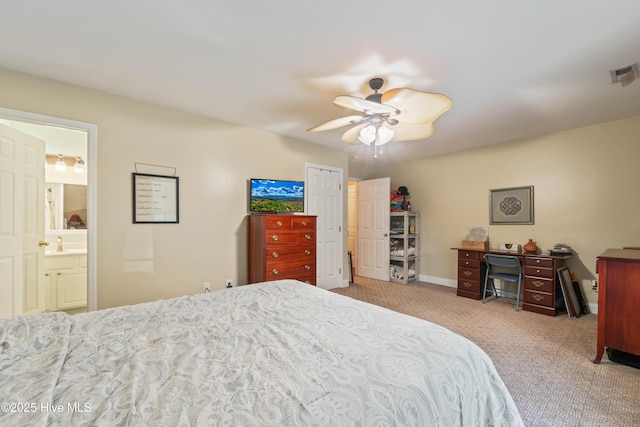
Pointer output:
x,y
373,228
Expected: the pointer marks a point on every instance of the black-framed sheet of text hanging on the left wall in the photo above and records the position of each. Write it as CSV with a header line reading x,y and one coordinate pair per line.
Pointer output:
x,y
155,199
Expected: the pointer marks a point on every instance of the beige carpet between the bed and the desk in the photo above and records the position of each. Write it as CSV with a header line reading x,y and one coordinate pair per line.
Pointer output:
x,y
544,361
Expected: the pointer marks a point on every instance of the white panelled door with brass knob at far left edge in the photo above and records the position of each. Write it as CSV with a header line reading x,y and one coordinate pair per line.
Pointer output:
x,y
22,160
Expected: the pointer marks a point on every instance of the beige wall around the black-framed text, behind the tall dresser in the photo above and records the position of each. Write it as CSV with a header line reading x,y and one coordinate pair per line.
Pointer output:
x,y
213,159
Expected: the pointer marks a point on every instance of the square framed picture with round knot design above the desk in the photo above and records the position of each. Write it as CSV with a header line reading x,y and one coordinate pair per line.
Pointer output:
x,y
511,205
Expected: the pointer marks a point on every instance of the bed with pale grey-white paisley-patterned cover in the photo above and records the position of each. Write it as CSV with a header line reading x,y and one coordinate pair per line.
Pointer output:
x,y
279,353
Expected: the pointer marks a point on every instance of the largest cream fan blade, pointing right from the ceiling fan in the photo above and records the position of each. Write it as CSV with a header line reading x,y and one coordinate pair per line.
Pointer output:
x,y
416,106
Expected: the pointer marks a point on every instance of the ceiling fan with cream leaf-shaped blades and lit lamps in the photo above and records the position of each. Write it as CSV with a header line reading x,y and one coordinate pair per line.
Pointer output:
x,y
399,114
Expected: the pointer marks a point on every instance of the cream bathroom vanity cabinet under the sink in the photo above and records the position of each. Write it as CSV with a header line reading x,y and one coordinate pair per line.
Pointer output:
x,y
65,281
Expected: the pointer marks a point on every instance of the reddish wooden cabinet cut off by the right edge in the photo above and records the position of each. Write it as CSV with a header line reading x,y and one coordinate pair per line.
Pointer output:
x,y
618,301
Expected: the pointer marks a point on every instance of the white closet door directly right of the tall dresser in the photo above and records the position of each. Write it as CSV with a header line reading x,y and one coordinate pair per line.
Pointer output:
x,y
324,199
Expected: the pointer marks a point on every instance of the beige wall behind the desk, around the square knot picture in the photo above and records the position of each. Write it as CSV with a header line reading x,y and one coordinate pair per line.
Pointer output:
x,y
586,195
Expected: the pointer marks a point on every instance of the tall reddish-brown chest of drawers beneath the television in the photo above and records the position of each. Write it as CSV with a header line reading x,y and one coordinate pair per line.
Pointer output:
x,y
282,247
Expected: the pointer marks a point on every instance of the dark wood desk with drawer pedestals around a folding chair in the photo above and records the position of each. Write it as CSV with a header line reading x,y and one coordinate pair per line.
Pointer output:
x,y
542,292
